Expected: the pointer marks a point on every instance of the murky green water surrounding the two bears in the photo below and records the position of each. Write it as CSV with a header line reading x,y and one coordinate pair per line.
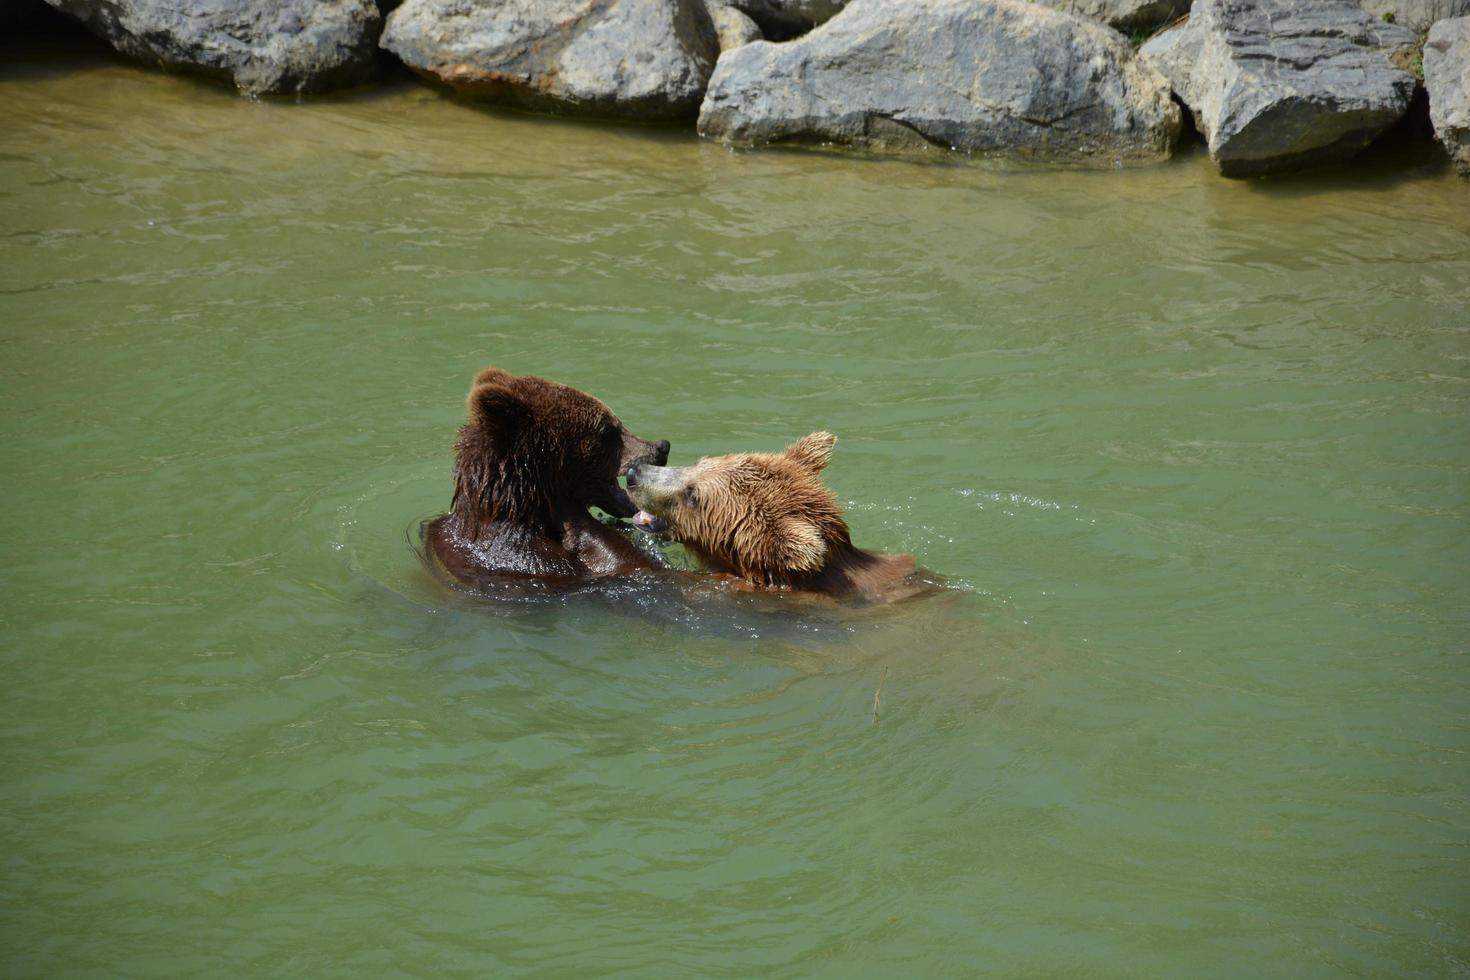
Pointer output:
x,y
1194,456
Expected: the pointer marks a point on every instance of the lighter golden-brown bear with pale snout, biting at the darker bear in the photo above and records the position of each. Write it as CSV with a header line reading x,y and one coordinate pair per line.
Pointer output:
x,y
768,522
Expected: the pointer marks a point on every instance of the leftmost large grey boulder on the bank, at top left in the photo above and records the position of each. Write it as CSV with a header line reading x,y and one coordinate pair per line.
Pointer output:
x,y
259,46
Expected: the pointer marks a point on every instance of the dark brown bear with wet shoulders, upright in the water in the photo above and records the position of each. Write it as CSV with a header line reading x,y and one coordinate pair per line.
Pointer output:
x,y
530,461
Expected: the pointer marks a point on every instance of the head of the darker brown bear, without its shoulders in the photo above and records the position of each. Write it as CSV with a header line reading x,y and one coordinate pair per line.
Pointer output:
x,y
533,453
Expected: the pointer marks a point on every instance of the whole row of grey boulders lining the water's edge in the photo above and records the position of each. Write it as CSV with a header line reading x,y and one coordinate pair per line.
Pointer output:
x,y
1271,86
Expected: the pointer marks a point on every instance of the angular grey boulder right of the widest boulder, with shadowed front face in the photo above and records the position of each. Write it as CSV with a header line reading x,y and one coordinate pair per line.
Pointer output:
x,y
1280,86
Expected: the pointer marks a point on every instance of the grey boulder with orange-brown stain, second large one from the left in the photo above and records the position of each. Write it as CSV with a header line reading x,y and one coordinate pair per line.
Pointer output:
x,y
633,60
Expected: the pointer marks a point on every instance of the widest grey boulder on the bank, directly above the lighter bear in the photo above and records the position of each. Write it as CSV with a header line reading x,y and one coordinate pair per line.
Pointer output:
x,y
978,76
